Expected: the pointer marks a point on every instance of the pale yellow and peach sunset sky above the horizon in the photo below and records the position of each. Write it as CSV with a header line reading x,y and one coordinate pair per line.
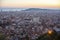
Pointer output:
x,y
30,3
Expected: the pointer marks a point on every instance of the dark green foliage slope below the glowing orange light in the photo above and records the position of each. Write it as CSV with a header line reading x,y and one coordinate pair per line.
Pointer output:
x,y
53,36
